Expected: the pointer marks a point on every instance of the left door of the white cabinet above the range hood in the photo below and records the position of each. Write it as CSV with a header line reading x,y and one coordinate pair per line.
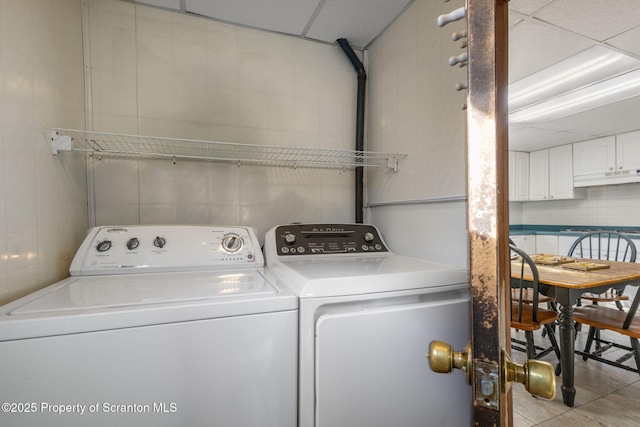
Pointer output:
x,y
594,156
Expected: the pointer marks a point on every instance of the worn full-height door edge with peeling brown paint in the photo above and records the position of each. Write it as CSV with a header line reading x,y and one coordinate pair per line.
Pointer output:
x,y
488,205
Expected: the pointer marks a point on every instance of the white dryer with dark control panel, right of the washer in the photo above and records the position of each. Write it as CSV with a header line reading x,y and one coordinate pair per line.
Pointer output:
x,y
366,317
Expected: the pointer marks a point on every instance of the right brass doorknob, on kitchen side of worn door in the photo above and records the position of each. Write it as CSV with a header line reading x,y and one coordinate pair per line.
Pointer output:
x,y
538,377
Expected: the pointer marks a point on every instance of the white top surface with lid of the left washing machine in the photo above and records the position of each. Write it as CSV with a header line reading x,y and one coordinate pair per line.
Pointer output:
x,y
84,304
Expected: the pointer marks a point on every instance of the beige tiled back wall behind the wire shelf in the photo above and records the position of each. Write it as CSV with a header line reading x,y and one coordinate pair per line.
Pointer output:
x,y
161,73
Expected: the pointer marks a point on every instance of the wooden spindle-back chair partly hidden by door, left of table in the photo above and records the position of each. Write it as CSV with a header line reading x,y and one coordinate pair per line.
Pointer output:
x,y
529,316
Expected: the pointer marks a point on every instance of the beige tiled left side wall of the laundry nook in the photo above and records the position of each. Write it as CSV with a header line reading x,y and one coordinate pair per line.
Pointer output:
x,y
43,207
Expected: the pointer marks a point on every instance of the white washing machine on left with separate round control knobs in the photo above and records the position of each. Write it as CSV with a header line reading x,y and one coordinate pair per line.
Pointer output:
x,y
157,326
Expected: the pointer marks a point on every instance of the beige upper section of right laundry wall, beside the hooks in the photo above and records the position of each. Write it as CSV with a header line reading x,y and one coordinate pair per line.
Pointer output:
x,y
415,109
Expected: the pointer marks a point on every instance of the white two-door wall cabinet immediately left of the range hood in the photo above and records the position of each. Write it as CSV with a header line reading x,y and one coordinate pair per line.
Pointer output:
x,y
551,174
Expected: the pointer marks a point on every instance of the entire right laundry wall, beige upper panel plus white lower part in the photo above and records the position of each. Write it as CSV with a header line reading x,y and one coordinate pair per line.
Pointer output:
x,y
414,109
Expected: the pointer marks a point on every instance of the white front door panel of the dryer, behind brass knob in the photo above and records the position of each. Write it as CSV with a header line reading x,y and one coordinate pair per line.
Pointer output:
x,y
371,369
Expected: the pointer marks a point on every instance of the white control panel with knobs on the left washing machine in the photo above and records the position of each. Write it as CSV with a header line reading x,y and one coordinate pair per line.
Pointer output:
x,y
115,250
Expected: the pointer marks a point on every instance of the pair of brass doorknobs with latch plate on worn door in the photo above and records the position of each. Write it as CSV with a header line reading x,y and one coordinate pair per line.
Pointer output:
x,y
537,377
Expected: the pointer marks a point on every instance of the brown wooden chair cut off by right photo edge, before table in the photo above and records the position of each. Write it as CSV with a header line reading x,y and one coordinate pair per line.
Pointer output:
x,y
600,317
